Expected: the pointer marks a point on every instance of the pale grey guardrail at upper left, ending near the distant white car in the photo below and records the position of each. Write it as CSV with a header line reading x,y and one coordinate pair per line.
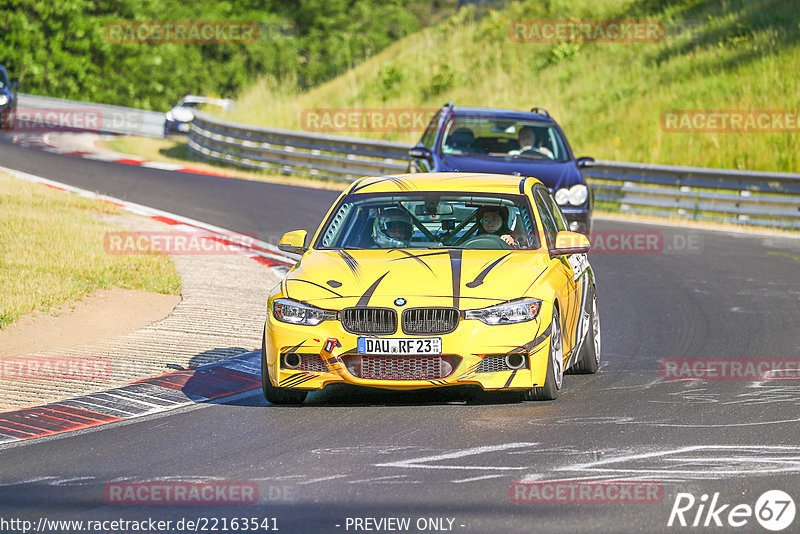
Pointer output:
x,y
113,119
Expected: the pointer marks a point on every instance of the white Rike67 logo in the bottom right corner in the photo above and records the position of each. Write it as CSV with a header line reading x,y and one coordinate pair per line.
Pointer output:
x,y
774,510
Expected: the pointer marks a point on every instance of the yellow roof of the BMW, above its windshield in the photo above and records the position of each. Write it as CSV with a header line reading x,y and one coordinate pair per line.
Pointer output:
x,y
466,182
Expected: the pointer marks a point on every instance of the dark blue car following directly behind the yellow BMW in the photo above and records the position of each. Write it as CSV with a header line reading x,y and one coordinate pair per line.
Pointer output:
x,y
500,141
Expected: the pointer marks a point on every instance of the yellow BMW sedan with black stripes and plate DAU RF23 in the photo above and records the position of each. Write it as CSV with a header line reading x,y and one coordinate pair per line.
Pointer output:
x,y
434,280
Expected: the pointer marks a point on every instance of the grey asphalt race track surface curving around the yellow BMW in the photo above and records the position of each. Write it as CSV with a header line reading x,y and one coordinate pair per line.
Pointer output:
x,y
445,459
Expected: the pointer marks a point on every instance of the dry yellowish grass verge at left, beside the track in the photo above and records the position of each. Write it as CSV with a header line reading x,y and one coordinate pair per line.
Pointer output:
x,y
52,252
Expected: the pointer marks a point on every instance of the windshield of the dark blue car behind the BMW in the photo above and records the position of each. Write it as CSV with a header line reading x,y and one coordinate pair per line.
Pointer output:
x,y
503,137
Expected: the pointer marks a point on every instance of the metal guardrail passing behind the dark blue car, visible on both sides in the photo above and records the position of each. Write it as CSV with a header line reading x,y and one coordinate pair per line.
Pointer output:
x,y
740,197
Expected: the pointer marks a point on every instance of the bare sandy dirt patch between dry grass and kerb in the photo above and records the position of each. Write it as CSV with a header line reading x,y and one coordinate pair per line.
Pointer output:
x,y
101,315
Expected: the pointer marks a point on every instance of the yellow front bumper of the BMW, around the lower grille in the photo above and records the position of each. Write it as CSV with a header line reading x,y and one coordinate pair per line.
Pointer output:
x,y
467,347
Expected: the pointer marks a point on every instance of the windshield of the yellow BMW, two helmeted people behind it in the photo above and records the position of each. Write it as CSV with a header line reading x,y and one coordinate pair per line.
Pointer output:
x,y
431,220
